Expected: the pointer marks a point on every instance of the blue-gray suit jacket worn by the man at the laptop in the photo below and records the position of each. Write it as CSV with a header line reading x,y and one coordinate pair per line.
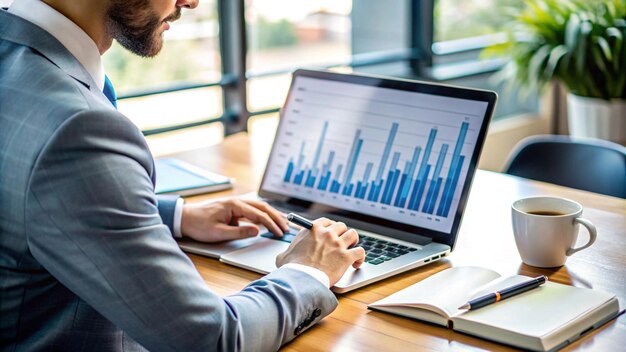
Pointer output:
x,y
86,262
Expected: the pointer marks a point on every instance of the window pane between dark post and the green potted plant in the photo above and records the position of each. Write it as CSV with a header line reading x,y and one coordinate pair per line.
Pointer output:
x,y
462,28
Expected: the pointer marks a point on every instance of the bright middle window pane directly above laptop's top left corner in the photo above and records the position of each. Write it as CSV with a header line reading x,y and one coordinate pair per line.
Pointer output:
x,y
284,34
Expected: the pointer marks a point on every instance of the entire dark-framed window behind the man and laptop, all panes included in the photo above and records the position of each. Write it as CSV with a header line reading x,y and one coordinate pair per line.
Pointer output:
x,y
209,75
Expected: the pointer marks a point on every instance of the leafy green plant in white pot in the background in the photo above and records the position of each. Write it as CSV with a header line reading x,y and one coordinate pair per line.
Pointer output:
x,y
582,44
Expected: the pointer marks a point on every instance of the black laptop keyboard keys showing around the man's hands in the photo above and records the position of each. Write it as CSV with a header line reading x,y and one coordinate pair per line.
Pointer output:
x,y
377,251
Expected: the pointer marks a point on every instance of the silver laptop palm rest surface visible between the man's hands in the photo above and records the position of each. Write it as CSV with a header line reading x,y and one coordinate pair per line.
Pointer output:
x,y
260,257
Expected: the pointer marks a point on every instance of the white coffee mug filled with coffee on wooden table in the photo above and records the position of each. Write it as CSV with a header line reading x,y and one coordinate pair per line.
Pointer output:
x,y
546,230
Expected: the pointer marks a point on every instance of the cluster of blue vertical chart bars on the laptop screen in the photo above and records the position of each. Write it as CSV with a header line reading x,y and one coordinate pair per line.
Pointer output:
x,y
392,185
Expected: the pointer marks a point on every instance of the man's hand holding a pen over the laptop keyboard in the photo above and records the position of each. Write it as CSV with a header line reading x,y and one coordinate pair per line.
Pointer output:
x,y
325,247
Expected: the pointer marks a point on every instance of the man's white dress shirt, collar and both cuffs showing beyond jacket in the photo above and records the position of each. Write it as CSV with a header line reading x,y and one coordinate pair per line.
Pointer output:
x,y
85,50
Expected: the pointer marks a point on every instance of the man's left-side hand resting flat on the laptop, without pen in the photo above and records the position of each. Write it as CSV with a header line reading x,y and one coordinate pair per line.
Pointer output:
x,y
219,221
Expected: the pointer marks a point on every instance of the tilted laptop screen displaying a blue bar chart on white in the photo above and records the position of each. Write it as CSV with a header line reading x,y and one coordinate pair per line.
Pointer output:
x,y
388,153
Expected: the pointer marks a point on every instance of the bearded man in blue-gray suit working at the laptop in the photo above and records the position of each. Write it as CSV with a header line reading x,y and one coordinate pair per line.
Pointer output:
x,y
87,255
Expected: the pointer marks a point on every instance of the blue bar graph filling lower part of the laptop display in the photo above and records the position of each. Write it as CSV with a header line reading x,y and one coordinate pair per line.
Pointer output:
x,y
415,183
